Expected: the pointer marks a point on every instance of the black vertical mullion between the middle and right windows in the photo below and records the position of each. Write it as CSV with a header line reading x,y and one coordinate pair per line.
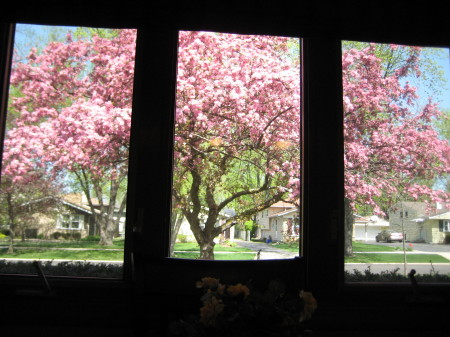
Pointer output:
x,y
323,163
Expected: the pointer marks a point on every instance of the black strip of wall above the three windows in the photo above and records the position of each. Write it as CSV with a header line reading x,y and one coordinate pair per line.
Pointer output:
x,y
415,21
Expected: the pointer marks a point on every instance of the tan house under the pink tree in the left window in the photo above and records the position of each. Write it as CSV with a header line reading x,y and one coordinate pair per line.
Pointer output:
x,y
68,216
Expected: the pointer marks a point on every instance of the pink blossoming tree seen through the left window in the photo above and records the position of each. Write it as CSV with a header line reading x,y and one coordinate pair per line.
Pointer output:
x,y
73,116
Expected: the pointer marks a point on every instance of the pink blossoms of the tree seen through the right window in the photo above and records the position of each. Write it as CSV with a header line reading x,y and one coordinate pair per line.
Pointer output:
x,y
391,143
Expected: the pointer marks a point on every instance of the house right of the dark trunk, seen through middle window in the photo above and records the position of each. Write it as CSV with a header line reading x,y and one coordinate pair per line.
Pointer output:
x,y
279,222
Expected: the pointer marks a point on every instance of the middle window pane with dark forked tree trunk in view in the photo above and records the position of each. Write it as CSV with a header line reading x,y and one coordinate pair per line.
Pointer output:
x,y
237,147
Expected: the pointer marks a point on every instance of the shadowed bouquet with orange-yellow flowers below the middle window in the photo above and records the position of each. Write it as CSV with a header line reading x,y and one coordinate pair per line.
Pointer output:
x,y
237,310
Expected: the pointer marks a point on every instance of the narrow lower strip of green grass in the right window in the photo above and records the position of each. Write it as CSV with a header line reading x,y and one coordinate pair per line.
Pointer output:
x,y
395,258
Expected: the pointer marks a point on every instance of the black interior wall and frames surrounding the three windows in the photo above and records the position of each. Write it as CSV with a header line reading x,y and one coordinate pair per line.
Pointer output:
x,y
116,307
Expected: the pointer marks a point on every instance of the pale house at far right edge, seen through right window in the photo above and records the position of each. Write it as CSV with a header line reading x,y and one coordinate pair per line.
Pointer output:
x,y
420,222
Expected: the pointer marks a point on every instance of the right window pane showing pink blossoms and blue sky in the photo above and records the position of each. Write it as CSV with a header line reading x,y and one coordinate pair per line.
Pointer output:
x,y
396,134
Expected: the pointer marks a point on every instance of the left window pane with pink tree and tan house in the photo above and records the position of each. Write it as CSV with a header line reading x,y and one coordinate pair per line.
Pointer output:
x,y
65,153
